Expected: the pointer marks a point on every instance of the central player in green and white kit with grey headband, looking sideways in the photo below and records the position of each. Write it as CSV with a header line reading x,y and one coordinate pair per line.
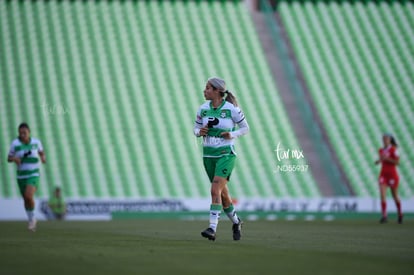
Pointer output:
x,y
216,121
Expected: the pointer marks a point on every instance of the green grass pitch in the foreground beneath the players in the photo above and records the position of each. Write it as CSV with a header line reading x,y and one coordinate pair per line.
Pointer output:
x,y
176,247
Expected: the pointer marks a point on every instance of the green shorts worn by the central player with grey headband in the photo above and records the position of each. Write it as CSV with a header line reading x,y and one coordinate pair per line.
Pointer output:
x,y
221,167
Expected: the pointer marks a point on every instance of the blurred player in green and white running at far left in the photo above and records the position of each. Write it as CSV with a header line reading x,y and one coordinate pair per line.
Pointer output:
x,y
25,151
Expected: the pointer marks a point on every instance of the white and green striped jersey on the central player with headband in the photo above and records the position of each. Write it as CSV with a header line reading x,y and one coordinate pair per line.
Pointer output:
x,y
219,120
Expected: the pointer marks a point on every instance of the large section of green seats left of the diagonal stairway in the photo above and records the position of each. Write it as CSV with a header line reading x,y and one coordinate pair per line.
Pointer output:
x,y
112,87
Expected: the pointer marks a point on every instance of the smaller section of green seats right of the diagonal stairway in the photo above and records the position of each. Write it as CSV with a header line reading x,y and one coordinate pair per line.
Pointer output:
x,y
357,58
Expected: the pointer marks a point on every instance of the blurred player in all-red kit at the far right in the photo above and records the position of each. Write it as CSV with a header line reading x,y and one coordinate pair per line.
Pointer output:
x,y
389,159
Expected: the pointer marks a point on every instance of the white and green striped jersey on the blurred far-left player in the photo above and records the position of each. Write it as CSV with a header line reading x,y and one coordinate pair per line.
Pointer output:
x,y
29,155
